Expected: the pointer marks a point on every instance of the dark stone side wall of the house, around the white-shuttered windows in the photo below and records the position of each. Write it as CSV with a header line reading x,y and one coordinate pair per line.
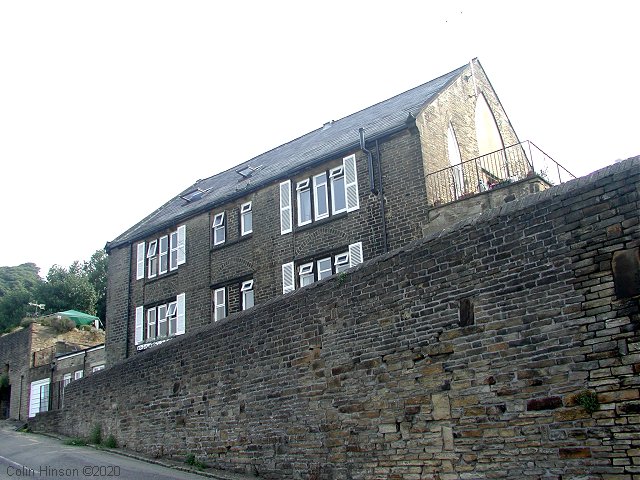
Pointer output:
x,y
260,255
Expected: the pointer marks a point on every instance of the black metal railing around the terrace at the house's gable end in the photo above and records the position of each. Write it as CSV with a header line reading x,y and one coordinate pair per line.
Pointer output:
x,y
493,170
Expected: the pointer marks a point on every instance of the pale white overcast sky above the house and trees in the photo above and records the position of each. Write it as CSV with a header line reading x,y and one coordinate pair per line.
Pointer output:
x,y
110,108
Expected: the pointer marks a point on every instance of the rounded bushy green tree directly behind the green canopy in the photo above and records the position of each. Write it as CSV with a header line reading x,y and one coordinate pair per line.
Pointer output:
x,y
66,289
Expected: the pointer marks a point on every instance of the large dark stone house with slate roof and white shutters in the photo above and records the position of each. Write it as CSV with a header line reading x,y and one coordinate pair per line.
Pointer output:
x,y
344,193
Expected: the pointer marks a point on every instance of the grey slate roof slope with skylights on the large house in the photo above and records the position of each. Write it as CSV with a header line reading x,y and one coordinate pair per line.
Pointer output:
x,y
283,161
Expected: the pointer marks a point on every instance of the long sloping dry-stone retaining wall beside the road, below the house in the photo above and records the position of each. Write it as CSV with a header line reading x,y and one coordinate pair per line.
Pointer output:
x,y
462,355
